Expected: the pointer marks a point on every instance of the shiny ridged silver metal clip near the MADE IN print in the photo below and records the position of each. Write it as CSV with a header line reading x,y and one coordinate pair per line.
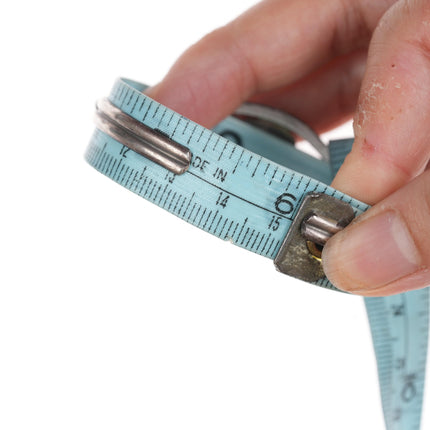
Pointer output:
x,y
142,139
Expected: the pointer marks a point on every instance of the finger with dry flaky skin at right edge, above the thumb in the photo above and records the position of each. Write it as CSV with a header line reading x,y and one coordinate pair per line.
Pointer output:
x,y
392,120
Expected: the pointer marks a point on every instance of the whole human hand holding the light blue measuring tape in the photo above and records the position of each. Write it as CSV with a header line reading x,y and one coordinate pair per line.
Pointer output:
x,y
323,61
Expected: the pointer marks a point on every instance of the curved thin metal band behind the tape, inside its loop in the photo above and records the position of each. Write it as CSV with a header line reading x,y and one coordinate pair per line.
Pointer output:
x,y
281,124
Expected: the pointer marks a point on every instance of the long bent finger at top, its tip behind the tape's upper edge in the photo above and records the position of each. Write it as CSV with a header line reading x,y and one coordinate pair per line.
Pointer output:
x,y
272,45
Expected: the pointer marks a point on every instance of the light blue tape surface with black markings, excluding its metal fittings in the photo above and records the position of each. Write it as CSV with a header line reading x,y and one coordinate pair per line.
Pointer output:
x,y
248,193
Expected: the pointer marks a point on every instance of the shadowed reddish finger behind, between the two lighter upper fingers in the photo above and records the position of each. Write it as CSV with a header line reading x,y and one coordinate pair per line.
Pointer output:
x,y
324,99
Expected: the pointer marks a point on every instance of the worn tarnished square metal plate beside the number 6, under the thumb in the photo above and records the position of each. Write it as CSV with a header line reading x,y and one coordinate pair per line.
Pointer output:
x,y
318,218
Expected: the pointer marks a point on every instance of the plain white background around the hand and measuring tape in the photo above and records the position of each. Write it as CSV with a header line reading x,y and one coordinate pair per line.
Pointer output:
x,y
114,313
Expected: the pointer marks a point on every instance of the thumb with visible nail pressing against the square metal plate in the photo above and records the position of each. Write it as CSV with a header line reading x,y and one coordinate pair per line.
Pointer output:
x,y
386,250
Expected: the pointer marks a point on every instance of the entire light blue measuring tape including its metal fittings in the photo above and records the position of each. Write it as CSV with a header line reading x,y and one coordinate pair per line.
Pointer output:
x,y
236,182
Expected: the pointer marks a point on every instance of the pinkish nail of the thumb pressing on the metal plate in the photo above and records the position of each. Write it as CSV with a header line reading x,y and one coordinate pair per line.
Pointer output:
x,y
370,254
